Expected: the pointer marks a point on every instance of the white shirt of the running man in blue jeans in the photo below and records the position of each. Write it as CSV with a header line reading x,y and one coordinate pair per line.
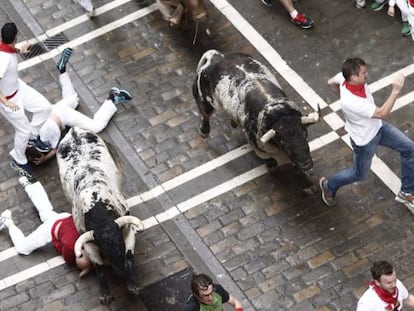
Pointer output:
x,y
358,113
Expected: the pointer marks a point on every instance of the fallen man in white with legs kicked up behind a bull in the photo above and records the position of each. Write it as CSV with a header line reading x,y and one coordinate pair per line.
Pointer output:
x,y
64,114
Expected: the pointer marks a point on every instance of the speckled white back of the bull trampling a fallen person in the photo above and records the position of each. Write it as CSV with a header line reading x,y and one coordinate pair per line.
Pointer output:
x,y
86,168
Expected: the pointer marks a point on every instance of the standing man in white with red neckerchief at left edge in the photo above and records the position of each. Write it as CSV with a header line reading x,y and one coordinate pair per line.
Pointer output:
x,y
16,97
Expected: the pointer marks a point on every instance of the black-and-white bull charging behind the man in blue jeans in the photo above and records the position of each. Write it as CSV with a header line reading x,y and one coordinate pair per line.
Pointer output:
x,y
249,94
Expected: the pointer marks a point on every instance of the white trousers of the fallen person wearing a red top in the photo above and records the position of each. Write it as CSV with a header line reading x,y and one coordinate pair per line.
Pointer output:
x,y
42,235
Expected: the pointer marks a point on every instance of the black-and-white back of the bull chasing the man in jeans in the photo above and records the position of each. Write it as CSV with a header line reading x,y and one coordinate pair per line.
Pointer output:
x,y
236,84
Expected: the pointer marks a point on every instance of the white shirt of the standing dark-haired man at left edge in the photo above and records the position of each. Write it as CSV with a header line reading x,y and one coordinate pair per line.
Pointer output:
x,y
9,80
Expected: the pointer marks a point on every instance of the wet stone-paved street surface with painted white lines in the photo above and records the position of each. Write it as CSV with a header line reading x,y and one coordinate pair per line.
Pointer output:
x,y
256,232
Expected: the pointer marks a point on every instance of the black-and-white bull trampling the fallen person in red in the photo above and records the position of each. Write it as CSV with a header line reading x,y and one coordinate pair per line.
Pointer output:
x,y
91,182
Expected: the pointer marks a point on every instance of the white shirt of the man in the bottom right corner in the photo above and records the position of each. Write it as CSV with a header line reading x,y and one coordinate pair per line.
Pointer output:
x,y
370,300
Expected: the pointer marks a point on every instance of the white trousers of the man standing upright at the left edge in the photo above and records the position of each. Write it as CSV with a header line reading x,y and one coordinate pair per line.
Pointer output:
x,y
28,99
